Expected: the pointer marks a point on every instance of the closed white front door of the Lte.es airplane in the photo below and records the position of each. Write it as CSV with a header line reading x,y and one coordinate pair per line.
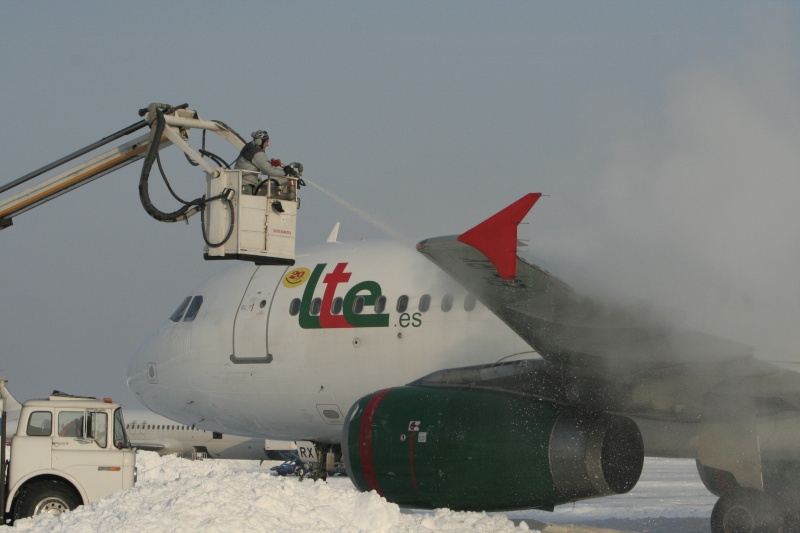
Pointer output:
x,y
250,343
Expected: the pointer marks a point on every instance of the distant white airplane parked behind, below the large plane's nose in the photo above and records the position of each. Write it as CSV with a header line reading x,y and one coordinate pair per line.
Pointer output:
x,y
151,432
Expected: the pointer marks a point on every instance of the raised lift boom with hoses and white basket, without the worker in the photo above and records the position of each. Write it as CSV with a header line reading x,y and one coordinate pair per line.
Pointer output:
x,y
258,227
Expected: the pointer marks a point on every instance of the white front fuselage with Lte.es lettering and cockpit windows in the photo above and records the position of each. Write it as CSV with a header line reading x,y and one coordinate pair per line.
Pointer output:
x,y
283,352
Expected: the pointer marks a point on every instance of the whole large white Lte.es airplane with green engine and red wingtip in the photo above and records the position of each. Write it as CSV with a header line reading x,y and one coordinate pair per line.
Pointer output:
x,y
461,375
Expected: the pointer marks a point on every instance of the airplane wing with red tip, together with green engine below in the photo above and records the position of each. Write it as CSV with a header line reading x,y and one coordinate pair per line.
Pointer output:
x,y
612,386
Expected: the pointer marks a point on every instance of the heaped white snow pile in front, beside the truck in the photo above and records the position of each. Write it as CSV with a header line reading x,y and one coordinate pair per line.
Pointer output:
x,y
181,495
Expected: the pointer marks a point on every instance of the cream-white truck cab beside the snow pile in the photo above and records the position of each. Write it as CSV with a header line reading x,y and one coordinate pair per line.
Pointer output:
x,y
67,451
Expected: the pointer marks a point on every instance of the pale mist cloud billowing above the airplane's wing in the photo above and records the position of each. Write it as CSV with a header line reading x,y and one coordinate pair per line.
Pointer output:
x,y
695,206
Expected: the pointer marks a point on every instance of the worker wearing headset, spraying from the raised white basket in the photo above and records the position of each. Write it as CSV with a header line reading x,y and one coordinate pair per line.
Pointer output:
x,y
253,161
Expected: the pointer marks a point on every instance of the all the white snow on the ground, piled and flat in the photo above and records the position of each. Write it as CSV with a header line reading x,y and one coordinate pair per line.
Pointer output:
x,y
181,495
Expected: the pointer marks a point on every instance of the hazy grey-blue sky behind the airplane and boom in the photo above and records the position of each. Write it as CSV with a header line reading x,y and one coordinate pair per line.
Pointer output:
x,y
666,135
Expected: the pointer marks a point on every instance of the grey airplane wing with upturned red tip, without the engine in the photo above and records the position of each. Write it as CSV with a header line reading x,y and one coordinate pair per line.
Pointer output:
x,y
599,349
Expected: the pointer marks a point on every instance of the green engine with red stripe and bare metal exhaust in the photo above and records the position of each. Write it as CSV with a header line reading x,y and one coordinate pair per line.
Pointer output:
x,y
470,449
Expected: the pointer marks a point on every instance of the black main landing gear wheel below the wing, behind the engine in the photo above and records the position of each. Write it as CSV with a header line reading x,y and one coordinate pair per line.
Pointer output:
x,y
747,511
